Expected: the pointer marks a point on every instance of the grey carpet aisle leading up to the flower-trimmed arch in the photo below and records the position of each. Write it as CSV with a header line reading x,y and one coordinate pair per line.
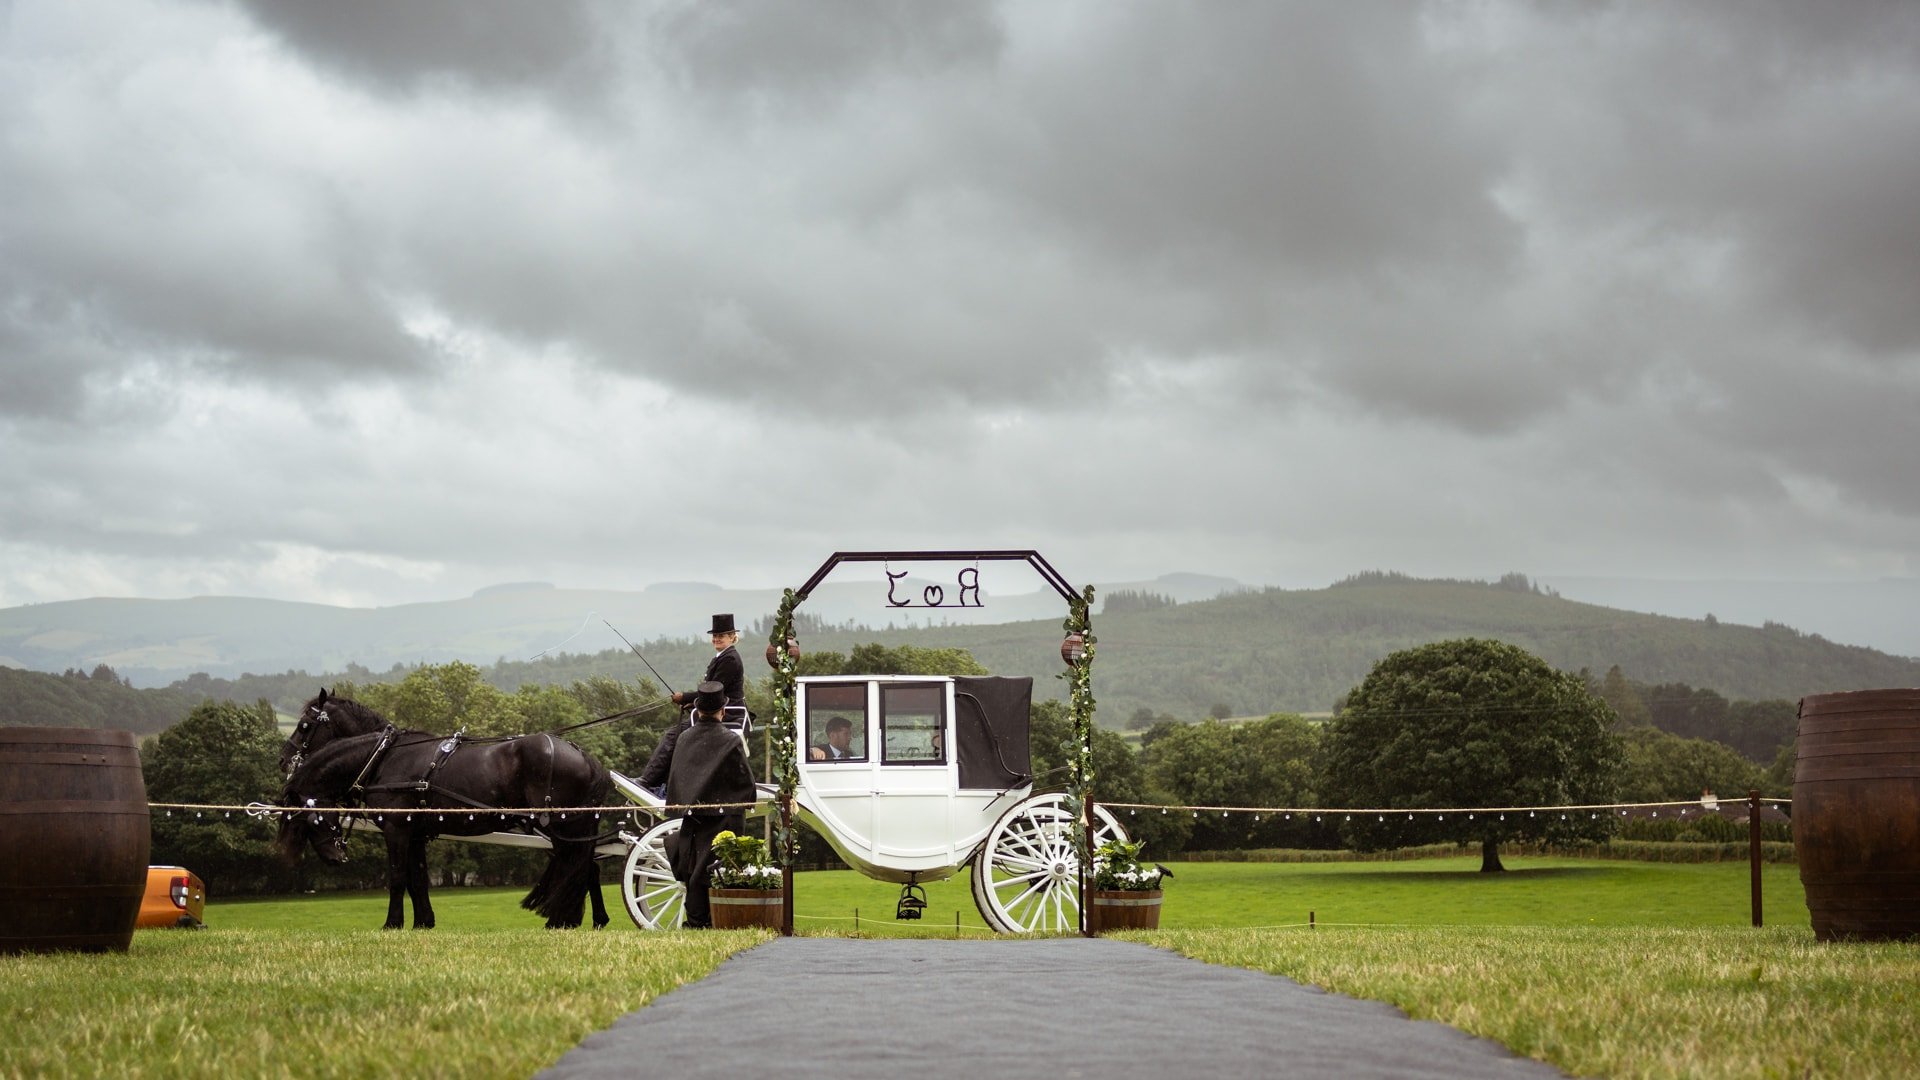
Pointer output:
x,y
1055,1010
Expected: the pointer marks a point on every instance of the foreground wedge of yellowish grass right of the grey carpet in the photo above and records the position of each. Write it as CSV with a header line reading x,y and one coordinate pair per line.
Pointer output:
x,y
1620,1000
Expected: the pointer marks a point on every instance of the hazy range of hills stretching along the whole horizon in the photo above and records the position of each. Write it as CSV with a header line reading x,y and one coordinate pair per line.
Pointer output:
x,y
1249,650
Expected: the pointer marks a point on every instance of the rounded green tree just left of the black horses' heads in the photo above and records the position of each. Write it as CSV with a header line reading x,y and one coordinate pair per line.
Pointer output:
x,y
222,754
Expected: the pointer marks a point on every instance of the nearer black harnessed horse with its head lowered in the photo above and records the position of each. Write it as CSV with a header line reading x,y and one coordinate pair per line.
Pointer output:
x,y
387,772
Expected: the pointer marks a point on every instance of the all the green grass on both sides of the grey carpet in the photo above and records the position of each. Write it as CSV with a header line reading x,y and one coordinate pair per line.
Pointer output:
x,y
1606,968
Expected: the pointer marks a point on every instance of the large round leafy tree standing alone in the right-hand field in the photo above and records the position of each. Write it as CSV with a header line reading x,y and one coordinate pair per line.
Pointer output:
x,y
1472,724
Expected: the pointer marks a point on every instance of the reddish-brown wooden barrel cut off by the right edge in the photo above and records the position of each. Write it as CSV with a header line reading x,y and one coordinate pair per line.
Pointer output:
x,y
1858,814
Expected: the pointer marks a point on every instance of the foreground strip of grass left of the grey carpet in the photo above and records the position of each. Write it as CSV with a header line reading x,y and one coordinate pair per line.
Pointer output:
x,y
335,1002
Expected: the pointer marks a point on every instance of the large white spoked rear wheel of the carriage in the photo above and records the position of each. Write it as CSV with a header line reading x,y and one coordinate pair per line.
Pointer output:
x,y
1026,873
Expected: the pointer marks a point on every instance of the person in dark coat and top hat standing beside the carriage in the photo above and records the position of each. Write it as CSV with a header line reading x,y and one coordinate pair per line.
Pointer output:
x,y
709,766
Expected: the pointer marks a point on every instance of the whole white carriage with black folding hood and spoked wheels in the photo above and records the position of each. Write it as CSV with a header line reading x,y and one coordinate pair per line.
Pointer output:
x,y
936,777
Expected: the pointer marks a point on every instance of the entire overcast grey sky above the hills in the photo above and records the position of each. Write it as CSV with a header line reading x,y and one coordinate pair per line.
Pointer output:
x,y
373,303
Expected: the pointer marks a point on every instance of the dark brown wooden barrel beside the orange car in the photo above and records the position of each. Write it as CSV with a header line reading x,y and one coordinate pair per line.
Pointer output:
x,y
74,841
